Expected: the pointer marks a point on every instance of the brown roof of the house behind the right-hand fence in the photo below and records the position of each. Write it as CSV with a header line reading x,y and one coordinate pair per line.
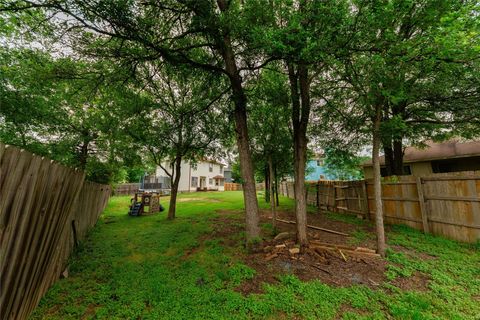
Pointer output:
x,y
437,151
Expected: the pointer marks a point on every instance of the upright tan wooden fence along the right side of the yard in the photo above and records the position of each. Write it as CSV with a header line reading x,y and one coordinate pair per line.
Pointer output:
x,y
446,205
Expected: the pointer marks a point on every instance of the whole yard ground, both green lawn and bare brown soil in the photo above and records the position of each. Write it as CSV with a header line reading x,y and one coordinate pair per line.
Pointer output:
x,y
196,268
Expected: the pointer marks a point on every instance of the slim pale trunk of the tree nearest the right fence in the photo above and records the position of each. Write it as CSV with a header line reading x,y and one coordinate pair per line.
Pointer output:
x,y
377,183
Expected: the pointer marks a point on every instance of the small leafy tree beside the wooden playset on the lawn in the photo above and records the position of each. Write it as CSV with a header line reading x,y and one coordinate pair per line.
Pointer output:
x,y
176,119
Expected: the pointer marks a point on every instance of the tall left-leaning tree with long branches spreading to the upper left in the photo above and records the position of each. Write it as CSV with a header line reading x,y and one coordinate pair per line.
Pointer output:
x,y
198,34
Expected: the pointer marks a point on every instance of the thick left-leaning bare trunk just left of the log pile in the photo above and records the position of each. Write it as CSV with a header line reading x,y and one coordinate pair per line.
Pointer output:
x,y
241,134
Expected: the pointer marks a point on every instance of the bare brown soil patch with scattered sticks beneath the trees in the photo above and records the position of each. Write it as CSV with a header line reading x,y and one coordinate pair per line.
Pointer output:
x,y
327,266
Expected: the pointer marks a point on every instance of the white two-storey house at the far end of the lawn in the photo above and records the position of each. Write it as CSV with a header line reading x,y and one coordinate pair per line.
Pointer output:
x,y
201,176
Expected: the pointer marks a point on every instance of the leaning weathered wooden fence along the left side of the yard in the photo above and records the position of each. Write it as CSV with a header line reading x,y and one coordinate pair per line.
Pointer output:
x,y
45,209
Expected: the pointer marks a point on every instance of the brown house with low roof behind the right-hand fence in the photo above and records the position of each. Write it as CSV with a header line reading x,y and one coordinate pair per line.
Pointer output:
x,y
450,156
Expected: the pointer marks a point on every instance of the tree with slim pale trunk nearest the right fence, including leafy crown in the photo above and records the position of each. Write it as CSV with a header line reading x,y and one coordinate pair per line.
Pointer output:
x,y
396,54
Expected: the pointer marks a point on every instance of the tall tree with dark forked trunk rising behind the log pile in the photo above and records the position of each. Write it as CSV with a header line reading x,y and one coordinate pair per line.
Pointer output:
x,y
304,35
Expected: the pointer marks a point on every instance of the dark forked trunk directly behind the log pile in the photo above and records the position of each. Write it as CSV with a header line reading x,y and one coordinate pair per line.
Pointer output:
x,y
300,112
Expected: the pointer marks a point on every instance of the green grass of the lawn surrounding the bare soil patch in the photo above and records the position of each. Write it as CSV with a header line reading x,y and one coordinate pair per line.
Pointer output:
x,y
151,268
